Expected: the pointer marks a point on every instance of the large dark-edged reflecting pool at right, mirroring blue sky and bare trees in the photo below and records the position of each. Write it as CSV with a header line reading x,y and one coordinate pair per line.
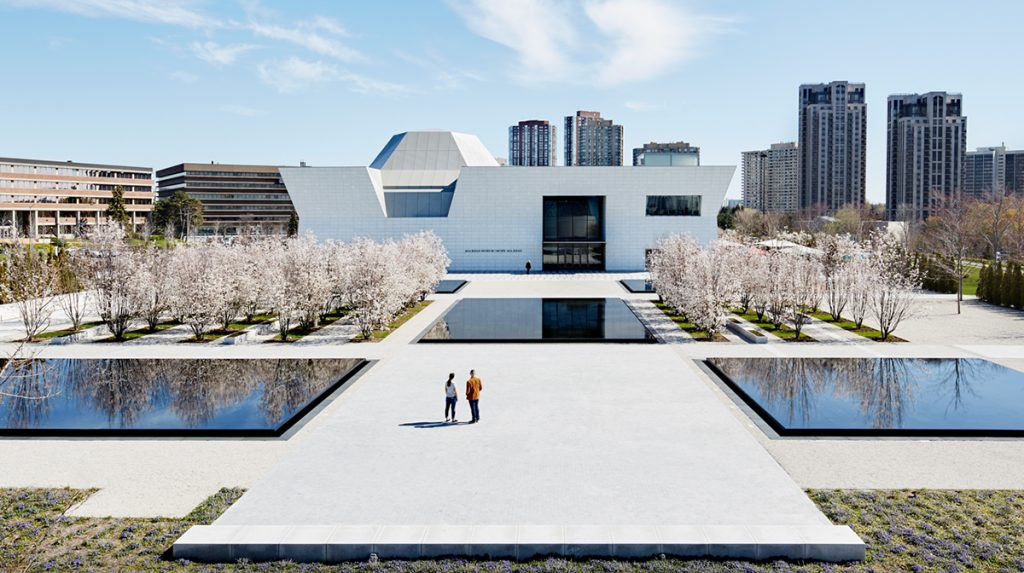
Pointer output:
x,y
880,396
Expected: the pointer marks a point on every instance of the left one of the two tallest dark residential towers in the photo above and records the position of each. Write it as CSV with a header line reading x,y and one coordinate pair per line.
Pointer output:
x,y
833,143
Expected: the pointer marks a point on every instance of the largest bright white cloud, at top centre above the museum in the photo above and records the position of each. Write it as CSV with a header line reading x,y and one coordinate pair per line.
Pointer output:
x,y
604,42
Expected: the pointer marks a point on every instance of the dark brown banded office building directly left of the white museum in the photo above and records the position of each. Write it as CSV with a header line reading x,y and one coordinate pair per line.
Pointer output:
x,y
237,199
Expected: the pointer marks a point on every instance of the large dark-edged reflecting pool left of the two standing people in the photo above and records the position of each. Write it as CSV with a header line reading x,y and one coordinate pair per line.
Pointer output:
x,y
194,398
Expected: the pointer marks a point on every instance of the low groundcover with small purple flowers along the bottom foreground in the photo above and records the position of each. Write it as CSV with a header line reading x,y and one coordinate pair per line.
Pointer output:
x,y
906,532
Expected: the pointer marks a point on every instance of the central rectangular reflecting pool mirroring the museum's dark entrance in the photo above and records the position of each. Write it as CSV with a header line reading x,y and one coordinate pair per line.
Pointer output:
x,y
539,321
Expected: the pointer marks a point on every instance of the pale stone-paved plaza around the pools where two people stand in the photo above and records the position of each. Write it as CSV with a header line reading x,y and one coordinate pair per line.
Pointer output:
x,y
588,435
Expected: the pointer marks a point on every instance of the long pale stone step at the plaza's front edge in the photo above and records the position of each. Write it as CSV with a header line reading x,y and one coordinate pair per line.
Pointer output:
x,y
317,544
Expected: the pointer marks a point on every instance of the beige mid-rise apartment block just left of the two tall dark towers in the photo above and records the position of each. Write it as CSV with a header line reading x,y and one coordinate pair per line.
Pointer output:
x,y
772,179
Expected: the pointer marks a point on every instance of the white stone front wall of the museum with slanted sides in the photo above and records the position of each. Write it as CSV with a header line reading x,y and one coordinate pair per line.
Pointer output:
x,y
495,223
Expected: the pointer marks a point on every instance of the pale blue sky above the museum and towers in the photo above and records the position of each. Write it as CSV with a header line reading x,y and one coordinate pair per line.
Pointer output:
x,y
160,82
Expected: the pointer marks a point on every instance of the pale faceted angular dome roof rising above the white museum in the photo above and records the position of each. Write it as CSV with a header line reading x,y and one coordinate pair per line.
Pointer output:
x,y
430,159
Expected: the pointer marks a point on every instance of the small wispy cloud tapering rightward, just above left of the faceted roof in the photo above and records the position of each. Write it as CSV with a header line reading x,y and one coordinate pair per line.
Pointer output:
x,y
295,74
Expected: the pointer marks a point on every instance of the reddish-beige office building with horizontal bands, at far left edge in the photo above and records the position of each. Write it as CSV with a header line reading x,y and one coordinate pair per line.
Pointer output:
x,y
41,199
